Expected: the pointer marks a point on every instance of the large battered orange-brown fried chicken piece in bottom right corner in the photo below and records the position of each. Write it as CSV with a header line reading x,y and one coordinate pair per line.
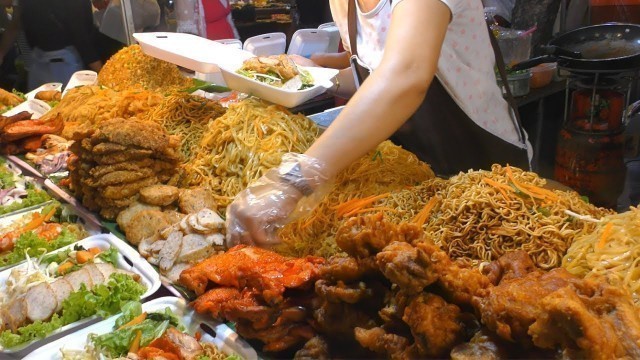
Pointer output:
x,y
586,318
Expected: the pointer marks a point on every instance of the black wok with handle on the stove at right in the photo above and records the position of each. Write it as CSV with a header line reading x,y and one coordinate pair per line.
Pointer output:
x,y
611,47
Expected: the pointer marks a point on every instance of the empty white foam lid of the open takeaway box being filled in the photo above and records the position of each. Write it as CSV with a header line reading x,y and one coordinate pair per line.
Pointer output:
x,y
189,51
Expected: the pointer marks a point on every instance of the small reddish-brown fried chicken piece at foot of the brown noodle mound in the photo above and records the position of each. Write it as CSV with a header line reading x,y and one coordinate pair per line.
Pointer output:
x,y
514,264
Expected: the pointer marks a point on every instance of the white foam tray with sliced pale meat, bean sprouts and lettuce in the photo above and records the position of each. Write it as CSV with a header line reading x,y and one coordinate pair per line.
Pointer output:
x,y
59,291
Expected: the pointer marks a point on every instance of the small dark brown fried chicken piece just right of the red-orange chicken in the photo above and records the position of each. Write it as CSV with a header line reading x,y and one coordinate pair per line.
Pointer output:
x,y
348,269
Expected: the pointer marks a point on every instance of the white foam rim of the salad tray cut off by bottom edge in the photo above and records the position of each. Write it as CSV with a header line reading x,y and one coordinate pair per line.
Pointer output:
x,y
225,339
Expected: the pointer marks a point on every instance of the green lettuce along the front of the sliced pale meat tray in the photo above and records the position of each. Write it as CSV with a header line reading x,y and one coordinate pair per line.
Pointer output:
x,y
103,300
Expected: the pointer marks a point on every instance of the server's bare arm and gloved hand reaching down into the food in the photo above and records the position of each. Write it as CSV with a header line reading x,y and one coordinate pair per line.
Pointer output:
x,y
382,104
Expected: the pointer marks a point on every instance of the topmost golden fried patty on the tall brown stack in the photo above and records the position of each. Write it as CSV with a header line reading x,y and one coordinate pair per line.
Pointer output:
x,y
132,132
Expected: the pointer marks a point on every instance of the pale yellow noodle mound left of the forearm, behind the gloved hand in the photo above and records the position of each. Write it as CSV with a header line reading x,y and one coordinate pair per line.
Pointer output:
x,y
240,146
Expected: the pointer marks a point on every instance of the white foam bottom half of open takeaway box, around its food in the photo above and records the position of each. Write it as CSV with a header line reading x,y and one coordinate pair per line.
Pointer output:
x,y
288,98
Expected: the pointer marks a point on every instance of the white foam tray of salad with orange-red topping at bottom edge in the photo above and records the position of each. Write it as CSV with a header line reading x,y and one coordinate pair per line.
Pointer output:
x,y
161,327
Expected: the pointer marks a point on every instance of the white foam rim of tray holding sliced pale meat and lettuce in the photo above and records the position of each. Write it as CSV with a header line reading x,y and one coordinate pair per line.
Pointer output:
x,y
128,259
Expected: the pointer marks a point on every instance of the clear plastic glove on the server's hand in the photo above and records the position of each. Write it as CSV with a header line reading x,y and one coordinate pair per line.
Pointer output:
x,y
274,200
